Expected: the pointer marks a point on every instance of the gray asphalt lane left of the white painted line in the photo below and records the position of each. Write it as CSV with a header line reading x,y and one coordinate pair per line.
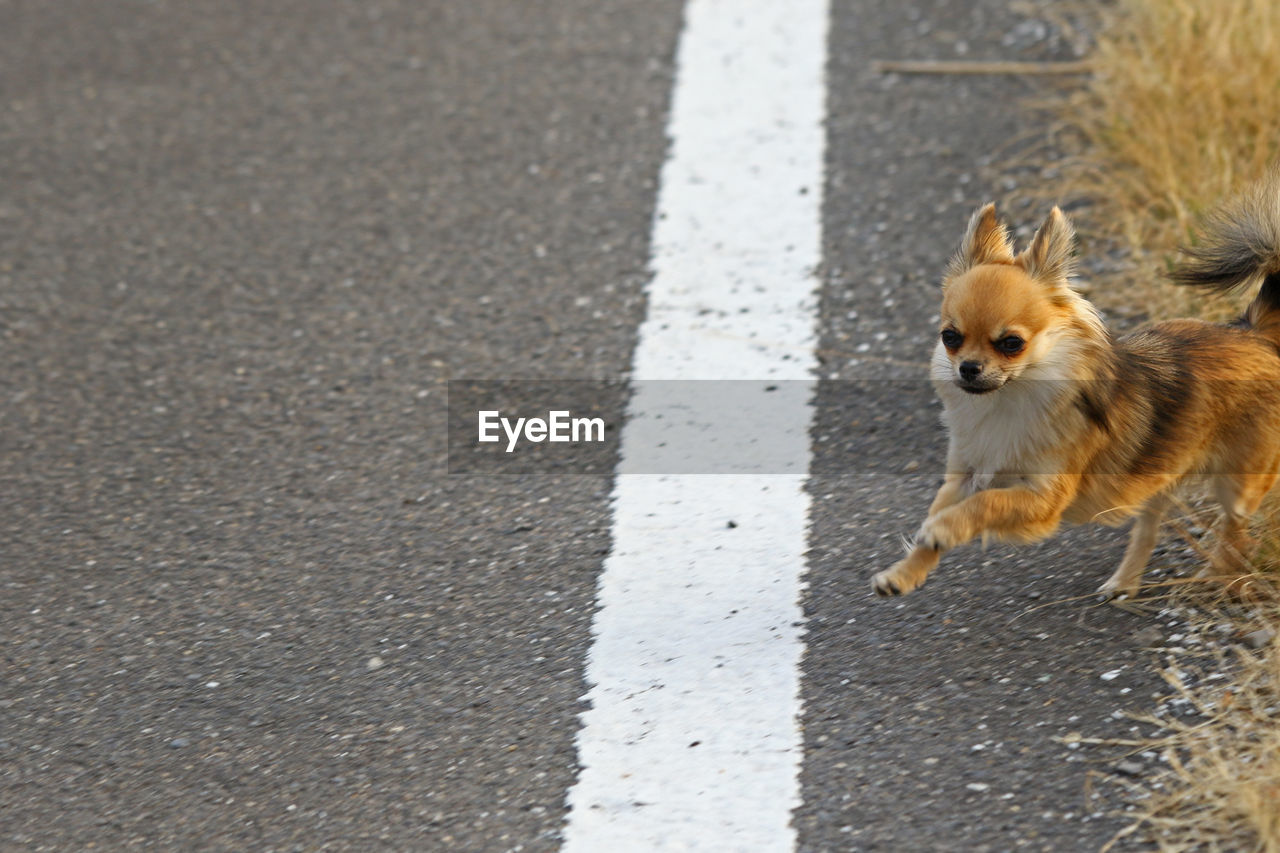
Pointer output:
x,y
244,248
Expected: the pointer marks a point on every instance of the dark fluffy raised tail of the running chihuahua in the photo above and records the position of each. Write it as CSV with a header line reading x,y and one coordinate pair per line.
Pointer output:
x,y
1240,245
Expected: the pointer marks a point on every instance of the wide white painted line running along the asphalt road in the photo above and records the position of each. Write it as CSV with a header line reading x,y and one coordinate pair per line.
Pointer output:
x,y
692,740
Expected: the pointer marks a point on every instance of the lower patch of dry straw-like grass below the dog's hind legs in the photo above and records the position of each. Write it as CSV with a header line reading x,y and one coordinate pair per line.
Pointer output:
x,y
1219,786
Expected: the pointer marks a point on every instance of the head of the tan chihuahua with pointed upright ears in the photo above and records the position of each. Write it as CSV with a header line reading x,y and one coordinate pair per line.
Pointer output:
x,y
1003,314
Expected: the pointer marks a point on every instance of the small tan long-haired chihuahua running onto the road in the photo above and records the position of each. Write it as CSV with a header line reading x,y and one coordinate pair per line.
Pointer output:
x,y
1052,419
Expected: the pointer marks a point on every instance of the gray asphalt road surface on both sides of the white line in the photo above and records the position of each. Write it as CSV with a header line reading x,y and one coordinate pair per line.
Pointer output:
x,y
244,604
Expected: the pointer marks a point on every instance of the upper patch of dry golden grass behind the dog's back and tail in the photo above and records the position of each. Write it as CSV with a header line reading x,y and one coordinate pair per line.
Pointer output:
x,y
1181,113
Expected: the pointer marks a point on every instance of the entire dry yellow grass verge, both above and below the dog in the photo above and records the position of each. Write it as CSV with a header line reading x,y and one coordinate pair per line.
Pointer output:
x,y
1183,112
